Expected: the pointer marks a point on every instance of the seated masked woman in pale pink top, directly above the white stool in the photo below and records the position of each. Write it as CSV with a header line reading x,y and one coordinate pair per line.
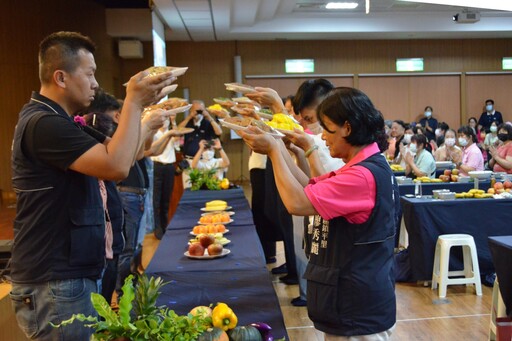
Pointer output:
x,y
472,158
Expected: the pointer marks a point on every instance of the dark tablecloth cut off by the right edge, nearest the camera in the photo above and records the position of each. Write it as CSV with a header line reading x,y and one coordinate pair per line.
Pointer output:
x,y
501,250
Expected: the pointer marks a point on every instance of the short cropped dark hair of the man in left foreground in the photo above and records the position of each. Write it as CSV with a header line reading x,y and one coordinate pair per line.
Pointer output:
x,y
59,51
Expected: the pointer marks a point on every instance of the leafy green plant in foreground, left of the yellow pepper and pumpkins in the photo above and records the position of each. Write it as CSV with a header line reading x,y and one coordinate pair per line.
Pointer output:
x,y
138,317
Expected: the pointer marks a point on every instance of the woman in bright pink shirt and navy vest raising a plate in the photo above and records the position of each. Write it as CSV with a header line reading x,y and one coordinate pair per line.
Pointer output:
x,y
350,291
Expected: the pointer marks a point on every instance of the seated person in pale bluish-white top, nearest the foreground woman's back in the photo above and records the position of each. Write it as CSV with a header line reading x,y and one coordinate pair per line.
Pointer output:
x,y
419,161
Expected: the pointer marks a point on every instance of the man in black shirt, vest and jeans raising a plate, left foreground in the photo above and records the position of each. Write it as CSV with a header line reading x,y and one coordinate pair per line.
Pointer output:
x,y
59,229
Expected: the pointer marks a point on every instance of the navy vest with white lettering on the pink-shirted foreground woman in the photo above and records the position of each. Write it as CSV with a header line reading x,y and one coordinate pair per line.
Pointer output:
x,y
350,281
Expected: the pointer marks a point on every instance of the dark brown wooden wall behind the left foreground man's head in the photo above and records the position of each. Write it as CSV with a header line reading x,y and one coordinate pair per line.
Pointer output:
x,y
23,26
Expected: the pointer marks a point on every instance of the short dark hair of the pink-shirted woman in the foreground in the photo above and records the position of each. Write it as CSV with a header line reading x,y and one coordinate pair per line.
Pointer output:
x,y
348,104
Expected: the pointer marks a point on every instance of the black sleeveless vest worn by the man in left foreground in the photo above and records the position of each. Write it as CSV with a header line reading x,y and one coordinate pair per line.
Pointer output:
x,y
59,229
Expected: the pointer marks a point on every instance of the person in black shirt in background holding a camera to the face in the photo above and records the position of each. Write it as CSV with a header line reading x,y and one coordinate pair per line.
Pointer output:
x,y
205,128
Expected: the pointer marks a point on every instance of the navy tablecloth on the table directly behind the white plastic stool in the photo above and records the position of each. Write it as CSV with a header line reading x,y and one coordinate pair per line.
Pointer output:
x,y
426,219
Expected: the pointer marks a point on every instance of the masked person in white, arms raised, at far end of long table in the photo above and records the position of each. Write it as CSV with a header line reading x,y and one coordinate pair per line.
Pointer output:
x,y
205,158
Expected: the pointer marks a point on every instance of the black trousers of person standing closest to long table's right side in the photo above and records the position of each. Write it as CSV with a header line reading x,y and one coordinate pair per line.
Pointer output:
x,y
263,225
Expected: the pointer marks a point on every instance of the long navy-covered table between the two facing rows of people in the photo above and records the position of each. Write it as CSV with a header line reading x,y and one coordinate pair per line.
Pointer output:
x,y
239,279
